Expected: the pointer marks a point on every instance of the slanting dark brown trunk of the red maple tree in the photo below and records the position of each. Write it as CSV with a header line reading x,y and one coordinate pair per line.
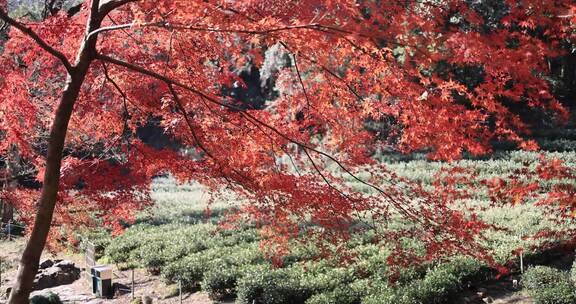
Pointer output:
x,y
28,266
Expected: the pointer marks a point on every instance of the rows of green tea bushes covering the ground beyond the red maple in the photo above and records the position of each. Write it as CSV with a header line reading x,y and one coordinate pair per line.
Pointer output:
x,y
177,240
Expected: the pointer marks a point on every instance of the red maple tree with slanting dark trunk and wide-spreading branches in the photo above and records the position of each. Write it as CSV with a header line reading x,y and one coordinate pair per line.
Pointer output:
x,y
87,81
